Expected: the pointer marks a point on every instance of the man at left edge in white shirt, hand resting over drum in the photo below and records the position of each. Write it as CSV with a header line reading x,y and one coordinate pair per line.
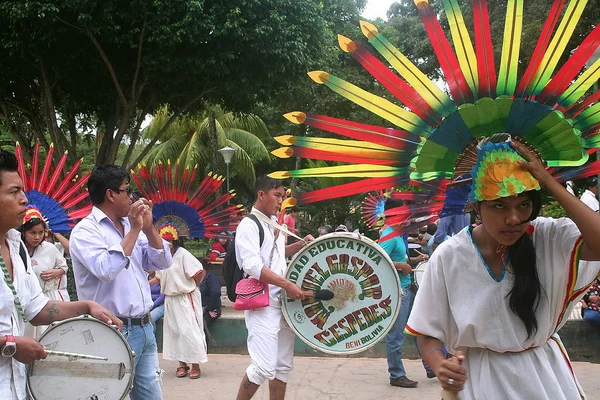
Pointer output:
x,y
21,298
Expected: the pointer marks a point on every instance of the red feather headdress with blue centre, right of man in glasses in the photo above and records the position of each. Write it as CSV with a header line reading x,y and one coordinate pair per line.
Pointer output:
x,y
179,212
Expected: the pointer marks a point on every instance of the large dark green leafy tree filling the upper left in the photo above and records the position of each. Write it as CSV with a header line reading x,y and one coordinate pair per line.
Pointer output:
x,y
71,67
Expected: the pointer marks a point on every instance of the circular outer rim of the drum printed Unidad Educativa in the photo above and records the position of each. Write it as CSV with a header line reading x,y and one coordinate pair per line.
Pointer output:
x,y
355,236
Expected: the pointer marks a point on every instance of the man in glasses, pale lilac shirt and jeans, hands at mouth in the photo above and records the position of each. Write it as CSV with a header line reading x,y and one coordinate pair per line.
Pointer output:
x,y
110,249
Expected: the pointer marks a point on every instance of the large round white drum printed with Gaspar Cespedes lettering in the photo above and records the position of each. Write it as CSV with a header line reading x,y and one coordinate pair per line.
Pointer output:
x,y
366,291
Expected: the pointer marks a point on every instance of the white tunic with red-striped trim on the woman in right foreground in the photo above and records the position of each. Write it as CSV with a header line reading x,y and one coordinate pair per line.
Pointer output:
x,y
460,303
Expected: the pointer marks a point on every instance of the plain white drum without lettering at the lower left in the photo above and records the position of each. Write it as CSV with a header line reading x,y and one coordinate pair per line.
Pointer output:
x,y
63,378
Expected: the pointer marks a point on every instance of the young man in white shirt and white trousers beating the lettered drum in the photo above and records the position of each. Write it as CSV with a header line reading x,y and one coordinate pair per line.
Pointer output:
x,y
270,339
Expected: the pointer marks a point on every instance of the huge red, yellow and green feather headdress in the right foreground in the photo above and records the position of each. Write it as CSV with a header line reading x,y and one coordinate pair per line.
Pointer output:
x,y
434,132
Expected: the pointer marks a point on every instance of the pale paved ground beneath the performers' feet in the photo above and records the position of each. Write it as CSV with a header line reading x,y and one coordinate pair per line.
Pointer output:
x,y
324,379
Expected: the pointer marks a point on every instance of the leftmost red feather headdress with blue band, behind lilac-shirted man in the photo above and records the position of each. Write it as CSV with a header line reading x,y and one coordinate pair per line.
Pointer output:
x,y
60,205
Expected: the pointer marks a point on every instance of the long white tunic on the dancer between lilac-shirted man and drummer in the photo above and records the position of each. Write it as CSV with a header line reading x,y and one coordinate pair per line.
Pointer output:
x,y
183,332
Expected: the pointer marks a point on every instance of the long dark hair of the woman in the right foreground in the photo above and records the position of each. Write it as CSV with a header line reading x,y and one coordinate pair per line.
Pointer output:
x,y
526,291
